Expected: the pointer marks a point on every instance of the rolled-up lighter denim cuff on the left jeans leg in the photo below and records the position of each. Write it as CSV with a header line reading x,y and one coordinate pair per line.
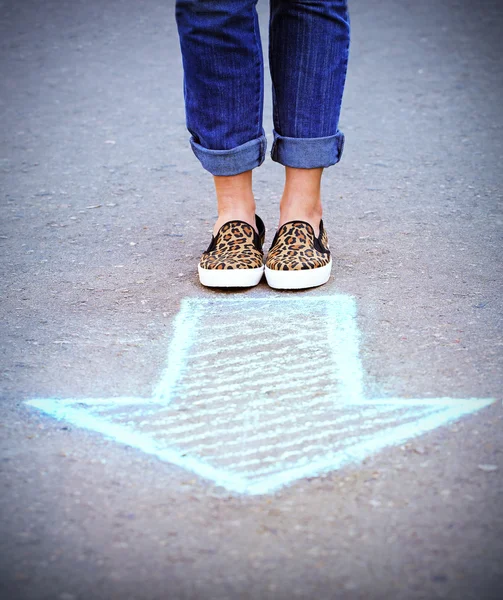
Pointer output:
x,y
237,160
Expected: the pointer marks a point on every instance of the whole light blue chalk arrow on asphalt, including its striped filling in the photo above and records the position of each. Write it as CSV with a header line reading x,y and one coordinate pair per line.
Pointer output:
x,y
260,392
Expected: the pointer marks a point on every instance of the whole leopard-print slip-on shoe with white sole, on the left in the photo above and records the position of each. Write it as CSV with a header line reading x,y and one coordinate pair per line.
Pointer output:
x,y
234,257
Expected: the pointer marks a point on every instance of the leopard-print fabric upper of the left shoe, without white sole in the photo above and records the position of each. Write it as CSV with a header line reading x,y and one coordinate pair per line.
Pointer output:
x,y
236,246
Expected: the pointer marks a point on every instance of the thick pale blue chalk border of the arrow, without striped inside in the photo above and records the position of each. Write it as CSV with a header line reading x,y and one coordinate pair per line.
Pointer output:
x,y
342,317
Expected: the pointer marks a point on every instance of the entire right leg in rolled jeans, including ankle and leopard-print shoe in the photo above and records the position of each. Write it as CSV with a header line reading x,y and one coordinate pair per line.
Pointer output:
x,y
308,53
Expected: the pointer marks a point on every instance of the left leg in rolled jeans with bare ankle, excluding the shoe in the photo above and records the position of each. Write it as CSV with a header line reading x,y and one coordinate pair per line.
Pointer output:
x,y
223,84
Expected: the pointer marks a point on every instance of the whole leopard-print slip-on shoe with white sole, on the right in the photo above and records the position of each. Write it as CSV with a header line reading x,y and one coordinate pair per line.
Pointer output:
x,y
297,258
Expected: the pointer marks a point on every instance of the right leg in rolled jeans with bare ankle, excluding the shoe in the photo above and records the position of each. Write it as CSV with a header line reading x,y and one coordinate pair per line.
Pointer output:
x,y
308,54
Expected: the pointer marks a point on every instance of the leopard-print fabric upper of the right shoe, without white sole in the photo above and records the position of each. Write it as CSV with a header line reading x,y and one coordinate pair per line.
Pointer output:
x,y
296,248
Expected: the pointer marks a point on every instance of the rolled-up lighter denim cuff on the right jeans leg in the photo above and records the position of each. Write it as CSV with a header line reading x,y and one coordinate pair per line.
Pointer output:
x,y
307,153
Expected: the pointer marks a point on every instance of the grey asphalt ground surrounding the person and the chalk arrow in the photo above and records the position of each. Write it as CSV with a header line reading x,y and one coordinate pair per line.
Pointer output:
x,y
104,214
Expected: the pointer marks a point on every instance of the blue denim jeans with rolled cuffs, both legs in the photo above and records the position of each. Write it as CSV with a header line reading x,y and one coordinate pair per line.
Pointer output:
x,y
224,81
